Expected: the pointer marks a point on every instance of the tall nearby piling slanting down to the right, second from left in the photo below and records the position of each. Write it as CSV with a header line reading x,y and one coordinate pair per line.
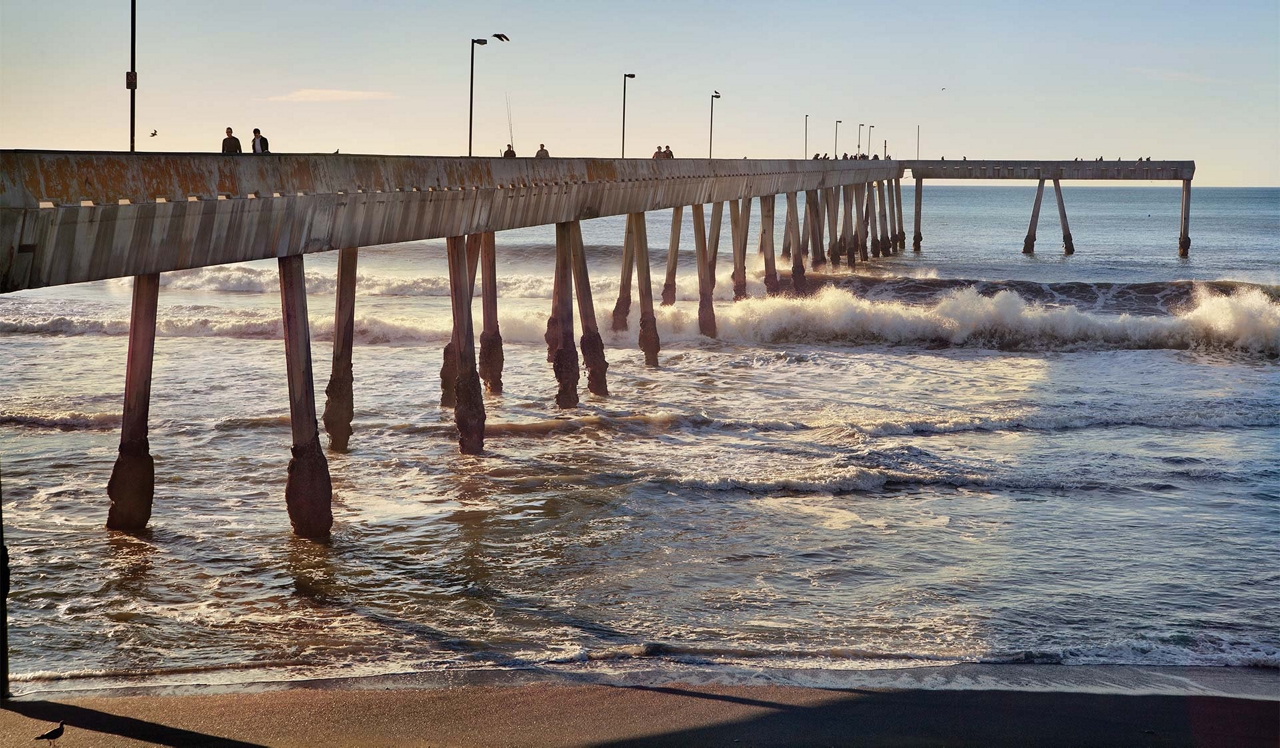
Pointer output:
x,y
309,492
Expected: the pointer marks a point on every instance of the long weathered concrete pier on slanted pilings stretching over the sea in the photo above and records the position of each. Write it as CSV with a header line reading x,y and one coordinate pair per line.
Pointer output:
x,y
77,217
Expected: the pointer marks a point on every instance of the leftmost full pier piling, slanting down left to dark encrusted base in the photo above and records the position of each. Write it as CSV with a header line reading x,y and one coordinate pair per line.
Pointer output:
x,y
132,485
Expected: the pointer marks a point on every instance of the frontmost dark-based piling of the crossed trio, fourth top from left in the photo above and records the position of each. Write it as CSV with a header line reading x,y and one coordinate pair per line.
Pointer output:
x,y
469,411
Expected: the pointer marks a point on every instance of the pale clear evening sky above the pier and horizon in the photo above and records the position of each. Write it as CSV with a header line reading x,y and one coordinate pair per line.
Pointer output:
x,y
1018,80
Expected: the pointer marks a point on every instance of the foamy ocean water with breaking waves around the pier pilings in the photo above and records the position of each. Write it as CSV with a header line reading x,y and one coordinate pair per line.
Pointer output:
x,y
963,455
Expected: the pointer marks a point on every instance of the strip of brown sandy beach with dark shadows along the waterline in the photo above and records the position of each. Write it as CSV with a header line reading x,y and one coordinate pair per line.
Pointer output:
x,y
639,715
